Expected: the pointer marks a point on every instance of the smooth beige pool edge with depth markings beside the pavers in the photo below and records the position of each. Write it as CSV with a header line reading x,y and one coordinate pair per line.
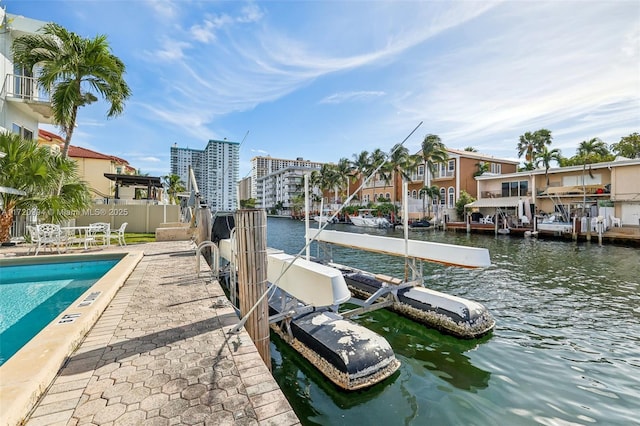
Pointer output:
x,y
29,372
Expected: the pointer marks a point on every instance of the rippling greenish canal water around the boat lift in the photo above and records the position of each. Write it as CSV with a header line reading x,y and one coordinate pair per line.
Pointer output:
x,y
565,351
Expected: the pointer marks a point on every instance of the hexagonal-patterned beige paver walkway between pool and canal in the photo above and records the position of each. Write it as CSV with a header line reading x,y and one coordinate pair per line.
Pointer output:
x,y
161,354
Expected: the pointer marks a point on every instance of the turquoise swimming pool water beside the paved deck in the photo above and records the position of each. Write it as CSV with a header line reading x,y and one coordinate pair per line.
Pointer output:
x,y
31,296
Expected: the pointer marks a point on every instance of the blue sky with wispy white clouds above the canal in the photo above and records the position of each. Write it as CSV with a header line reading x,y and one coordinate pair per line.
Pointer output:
x,y
325,80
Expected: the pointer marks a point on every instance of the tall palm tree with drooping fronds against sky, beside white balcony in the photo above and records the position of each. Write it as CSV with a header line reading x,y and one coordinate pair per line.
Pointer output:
x,y
73,70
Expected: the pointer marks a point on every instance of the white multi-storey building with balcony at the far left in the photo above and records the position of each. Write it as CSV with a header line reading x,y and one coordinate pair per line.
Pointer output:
x,y
23,105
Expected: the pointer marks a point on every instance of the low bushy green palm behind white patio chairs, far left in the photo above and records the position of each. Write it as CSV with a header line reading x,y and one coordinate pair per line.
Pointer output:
x,y
34,171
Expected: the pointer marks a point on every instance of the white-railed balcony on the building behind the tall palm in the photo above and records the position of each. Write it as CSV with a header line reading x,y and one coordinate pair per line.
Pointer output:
x,y
28,96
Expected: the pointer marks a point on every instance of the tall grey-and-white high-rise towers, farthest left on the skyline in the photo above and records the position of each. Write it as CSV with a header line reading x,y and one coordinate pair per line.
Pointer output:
x,y
215,169
